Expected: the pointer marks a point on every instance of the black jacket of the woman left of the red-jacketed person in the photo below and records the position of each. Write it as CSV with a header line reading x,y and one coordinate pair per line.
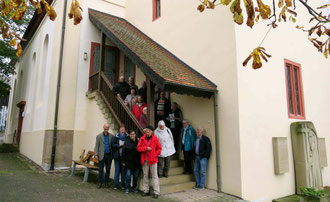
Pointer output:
x,y
130,155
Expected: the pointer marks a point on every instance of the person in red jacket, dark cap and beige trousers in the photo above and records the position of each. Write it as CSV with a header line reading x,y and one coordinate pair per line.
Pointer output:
x,y
150,149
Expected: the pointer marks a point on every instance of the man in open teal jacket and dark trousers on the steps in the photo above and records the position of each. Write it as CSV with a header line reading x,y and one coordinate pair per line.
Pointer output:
x,y
187,141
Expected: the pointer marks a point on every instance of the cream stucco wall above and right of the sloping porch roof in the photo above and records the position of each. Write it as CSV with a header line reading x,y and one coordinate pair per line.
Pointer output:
x,y
206,42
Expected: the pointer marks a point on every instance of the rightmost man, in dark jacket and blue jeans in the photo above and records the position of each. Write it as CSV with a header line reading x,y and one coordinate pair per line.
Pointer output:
x,y
202,151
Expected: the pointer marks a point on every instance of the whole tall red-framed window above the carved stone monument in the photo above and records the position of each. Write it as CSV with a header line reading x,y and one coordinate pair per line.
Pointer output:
x,y
295,97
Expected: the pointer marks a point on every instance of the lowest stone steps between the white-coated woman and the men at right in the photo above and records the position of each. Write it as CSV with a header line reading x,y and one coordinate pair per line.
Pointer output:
x,y
176,181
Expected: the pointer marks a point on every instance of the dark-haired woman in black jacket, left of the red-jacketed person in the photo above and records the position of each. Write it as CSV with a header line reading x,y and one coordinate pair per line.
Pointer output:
x,y
131,160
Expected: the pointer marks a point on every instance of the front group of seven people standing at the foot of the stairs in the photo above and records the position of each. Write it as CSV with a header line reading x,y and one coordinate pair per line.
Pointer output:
x,y
152,152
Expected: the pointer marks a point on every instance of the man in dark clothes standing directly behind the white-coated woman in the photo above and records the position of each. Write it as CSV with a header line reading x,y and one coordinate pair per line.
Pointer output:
x,y
162,107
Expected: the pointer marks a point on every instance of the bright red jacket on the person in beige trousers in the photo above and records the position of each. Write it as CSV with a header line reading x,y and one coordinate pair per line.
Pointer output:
x,y
152,155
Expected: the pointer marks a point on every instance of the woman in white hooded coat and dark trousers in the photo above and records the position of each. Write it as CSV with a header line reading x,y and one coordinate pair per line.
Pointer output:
x,y
166,141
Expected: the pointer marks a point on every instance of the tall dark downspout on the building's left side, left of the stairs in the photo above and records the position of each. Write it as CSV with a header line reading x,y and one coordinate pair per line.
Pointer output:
x,y
59,75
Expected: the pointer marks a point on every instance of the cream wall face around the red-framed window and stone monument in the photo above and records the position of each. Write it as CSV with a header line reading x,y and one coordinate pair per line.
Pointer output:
x,y
263,110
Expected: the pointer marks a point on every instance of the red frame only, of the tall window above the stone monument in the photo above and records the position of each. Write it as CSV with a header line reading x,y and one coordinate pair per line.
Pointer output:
x,y
294,66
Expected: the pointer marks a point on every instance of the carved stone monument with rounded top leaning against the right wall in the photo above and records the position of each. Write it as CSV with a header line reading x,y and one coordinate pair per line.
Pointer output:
x,y
306,155
